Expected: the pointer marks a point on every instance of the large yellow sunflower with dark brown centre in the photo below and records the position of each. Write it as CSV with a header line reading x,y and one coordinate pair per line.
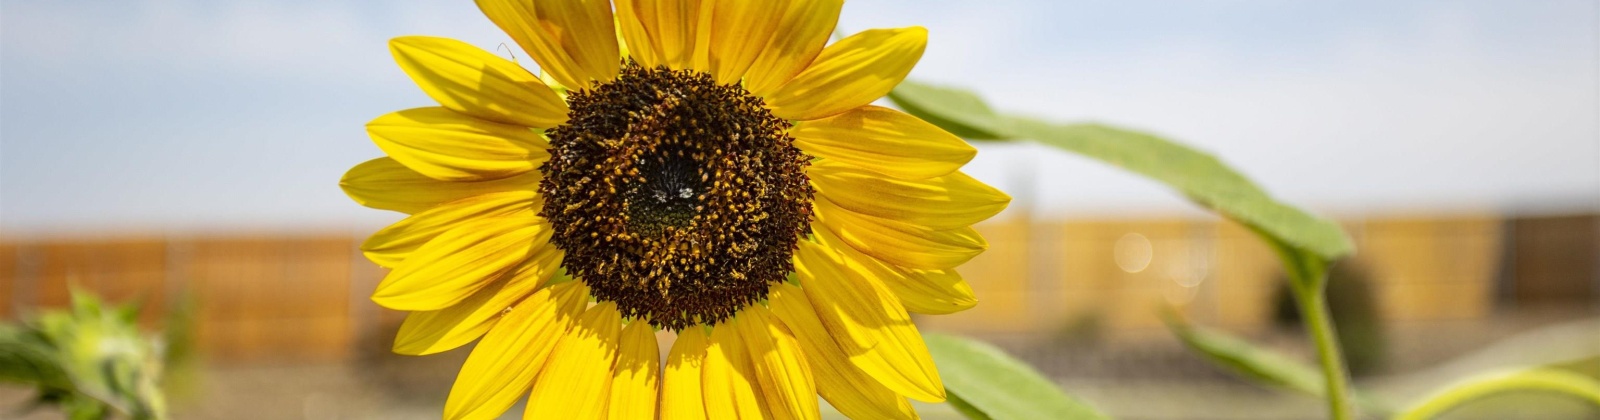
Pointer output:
x,y
708,172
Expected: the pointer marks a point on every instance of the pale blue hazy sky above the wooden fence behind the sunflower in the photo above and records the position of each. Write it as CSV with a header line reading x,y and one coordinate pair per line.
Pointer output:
x,y
225,115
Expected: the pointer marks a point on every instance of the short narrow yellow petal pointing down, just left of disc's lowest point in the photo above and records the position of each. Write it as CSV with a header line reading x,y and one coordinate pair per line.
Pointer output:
x,y
636,374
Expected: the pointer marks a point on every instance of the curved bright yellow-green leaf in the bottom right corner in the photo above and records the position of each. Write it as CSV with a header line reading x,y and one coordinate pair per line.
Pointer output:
x,y
1548,381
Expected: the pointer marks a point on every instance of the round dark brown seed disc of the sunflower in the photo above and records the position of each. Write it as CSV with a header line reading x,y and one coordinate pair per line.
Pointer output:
x,y
676,198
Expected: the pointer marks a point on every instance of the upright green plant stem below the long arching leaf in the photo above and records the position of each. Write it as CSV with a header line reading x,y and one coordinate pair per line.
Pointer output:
x,y
1319,323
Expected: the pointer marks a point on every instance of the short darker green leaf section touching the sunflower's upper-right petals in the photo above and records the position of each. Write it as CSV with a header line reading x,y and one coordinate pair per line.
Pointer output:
x,y
958,111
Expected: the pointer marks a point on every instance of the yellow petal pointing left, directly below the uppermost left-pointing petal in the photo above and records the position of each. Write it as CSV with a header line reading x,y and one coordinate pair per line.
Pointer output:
x,y
450,147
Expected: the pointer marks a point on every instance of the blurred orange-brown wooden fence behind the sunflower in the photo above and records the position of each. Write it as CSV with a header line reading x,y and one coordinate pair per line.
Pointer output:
x,y
305,297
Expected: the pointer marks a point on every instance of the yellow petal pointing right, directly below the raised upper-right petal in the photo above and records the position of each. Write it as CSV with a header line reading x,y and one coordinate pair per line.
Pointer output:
x,y
886,142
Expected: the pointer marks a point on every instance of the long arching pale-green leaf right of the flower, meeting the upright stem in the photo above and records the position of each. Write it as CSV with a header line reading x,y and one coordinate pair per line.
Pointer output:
x,y
1199,176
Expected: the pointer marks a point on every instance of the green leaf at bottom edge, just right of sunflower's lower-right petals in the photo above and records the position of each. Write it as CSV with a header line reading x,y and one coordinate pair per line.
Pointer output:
x,y
983,382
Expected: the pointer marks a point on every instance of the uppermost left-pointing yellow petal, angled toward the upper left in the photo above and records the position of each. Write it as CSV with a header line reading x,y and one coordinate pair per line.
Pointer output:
x,y
479,84
